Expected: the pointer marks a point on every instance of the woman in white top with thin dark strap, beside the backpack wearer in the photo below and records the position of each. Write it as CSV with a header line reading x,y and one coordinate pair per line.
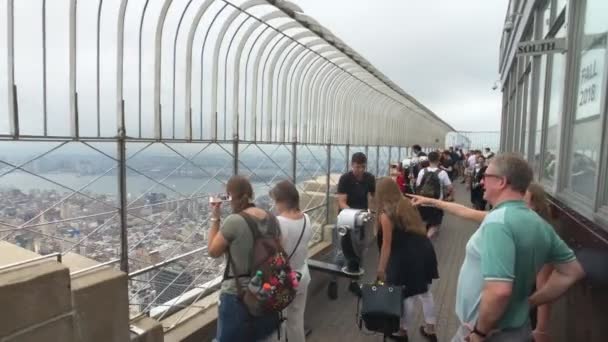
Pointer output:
x,y
296,232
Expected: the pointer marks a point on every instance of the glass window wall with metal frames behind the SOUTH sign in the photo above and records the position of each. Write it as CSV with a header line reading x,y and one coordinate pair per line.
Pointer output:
x,y
554,105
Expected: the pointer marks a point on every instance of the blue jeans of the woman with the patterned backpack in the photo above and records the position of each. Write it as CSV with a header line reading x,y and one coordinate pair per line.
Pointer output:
x,y
235,324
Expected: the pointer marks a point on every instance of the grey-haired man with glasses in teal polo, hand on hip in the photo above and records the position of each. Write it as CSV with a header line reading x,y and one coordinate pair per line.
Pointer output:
x,y
503,257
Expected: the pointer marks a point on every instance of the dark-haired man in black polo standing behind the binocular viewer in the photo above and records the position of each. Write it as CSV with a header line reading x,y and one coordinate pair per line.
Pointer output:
x,y
354,190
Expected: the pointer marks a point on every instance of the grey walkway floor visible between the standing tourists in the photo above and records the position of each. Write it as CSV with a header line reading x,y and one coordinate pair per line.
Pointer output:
x,y
336,320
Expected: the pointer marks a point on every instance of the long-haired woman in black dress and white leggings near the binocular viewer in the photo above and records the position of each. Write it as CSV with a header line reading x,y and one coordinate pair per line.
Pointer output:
x,y
407,256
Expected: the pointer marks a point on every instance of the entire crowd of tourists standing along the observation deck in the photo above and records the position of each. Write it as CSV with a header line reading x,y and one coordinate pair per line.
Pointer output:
x,y
514,262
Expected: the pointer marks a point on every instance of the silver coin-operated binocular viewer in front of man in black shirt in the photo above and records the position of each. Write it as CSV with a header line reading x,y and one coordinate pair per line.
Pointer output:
x,y
354,227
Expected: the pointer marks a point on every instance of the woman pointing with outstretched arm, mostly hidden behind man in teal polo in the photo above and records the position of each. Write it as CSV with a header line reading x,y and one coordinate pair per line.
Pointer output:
x,y
536,200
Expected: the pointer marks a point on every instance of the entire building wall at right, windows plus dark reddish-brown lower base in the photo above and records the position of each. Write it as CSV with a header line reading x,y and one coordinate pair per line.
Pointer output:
x,y
554,113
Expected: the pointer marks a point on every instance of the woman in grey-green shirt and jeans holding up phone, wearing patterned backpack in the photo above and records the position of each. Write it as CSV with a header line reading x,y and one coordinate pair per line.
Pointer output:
x,y
234,239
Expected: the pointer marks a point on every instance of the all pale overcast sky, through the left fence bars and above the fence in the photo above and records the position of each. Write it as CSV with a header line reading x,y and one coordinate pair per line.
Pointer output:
x,y
443,52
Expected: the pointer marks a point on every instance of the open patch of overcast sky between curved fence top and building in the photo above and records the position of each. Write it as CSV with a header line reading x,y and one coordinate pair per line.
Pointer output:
x,y
443,52
